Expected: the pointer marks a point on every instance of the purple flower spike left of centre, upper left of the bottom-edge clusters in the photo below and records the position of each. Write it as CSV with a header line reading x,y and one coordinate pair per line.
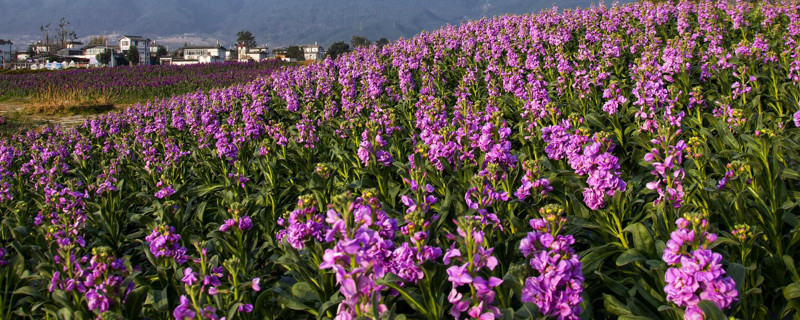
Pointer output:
x,y
304,224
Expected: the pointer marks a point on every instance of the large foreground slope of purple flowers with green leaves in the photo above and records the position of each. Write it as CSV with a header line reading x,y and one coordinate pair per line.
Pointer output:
x,y
631,162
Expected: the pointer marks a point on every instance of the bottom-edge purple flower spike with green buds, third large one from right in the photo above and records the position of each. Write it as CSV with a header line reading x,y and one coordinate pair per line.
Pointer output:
x,y
467,271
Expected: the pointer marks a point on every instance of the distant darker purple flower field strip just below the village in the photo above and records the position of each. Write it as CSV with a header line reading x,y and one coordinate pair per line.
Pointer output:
x,y
128,84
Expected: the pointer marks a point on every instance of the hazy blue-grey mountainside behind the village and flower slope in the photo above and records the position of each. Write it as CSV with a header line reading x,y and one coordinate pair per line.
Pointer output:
x,y
273,22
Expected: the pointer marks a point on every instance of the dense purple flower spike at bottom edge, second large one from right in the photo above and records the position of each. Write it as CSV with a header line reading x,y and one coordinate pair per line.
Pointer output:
x,y
556,286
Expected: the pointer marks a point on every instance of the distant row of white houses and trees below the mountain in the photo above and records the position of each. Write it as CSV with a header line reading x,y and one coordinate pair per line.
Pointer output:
x,y
61,50
